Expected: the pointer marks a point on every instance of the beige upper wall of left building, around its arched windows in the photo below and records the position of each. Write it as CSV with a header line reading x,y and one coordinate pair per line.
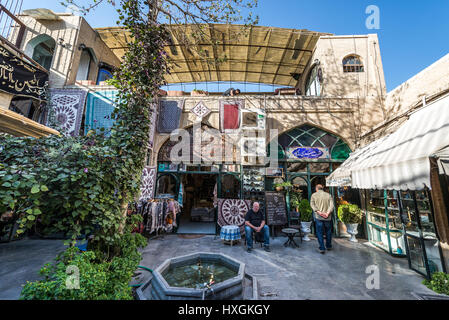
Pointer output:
x,y
69,33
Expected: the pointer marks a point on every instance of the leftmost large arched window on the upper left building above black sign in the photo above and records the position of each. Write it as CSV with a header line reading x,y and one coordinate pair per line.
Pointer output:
x,y
42,49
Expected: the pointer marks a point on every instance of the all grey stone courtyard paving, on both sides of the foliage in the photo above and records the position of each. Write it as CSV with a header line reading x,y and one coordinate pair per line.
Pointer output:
x,y
285,273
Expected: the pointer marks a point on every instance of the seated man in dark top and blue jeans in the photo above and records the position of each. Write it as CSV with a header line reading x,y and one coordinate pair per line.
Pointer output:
x,y
255,222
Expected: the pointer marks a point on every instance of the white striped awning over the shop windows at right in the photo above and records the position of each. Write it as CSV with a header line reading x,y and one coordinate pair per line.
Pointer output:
x,y
399,161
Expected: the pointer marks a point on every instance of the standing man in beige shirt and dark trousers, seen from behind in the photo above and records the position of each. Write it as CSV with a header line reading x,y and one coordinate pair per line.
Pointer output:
x,y
323,205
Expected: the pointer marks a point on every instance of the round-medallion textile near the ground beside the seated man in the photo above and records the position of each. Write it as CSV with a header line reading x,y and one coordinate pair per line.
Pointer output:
x,y
232,212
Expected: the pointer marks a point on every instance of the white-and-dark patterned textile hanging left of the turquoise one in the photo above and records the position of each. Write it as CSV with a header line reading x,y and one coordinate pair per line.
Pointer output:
x,y
68,107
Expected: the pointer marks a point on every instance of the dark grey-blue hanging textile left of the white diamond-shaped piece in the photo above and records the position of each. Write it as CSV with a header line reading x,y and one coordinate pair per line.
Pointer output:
x,y
169,115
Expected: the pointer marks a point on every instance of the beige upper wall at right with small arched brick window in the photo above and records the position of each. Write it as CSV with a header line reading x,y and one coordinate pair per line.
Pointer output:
x,y
367,87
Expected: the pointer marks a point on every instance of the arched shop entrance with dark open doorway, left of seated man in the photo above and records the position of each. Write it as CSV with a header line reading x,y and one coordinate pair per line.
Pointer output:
x,y
198,186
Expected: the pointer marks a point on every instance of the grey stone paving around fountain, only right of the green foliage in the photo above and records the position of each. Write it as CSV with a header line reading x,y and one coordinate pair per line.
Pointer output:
x,y
303,273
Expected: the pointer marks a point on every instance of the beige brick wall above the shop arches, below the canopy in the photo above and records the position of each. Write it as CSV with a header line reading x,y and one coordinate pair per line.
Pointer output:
x,y
335,115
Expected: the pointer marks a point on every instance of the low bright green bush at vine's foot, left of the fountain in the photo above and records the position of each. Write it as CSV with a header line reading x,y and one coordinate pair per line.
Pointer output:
x,y
98,279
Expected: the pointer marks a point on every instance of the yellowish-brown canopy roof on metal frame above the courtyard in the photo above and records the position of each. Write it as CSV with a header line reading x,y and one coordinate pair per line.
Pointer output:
x,y
265,55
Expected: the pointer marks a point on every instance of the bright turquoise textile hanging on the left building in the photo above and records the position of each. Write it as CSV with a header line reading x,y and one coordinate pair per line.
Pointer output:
x,y
100,105
